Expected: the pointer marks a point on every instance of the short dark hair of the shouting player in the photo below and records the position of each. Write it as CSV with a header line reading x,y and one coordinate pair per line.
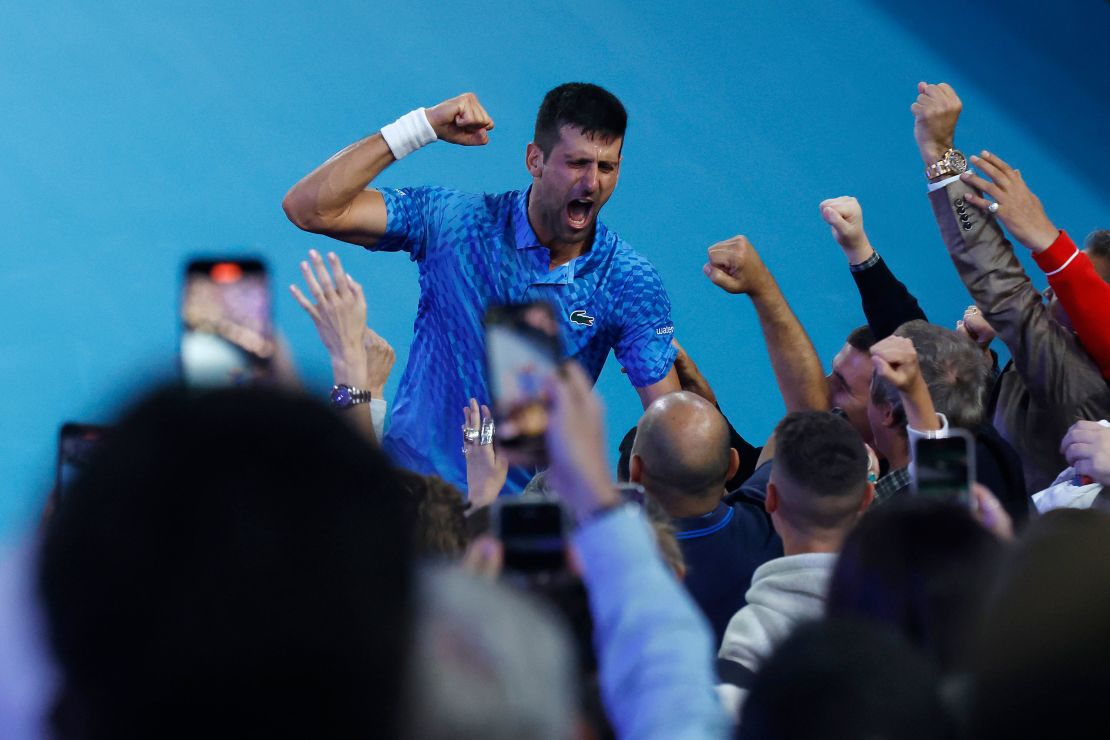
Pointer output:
x,y
589,108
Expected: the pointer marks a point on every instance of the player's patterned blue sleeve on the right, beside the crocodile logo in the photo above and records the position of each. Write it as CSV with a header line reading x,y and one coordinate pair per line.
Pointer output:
x,y
645,348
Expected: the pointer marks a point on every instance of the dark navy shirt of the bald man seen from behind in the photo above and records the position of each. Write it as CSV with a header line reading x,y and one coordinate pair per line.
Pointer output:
x,y
722,550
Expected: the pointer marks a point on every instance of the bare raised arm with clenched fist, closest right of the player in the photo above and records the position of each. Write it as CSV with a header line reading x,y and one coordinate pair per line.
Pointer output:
x,y
735,267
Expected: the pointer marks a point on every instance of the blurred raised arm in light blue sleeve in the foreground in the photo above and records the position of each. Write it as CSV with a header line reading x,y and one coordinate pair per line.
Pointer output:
x,y
654,651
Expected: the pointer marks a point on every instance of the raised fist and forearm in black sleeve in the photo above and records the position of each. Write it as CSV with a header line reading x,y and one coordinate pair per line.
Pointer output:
x,y
887,303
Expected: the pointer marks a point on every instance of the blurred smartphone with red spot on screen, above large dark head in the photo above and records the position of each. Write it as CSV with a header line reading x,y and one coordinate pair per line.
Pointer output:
x,y
227,336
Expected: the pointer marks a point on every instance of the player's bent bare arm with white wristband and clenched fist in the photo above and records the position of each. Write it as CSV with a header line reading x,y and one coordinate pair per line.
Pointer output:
x,y
334,200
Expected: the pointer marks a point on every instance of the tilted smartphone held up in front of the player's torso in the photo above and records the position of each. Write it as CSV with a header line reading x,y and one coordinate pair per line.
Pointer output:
x,y
523,351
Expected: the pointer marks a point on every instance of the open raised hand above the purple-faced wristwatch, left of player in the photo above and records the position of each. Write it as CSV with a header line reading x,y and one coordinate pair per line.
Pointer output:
x,y
339,313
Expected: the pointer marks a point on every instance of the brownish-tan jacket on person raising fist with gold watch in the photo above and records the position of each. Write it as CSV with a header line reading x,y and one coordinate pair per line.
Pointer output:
x,y
1053,382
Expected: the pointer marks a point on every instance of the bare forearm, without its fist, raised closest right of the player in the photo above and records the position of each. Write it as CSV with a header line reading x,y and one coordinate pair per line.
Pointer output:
x,y
798,369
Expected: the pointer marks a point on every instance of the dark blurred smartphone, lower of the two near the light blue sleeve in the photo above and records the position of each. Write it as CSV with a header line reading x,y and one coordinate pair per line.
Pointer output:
x,y
533,532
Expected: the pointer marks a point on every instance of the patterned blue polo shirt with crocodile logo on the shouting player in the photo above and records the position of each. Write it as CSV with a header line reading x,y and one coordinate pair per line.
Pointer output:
x,y
477,250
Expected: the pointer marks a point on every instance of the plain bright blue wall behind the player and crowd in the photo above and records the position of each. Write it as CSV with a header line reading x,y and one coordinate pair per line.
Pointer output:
x,y
138,134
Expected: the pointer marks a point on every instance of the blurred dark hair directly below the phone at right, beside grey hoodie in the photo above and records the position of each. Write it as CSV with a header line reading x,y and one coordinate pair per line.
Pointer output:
x,y
923,567
